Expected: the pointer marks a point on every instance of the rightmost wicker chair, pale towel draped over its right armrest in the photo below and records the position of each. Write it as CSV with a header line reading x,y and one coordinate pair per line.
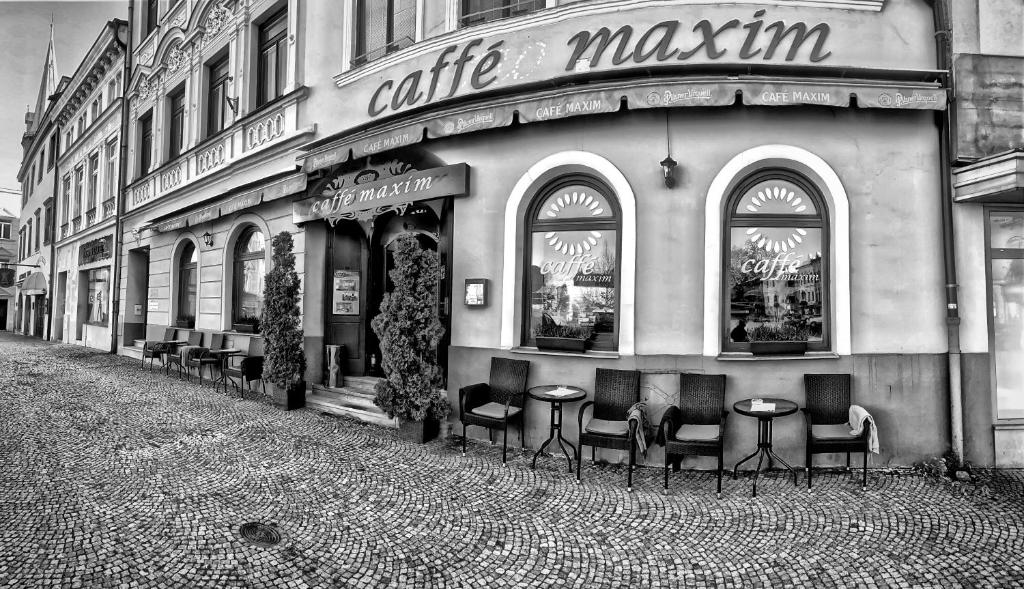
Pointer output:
x,y
827,417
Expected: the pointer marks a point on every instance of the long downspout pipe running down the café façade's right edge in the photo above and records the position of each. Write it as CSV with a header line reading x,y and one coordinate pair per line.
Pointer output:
x,y
945,120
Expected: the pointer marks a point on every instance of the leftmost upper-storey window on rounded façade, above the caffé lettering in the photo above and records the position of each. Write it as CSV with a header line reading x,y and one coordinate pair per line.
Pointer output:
x,y
383,27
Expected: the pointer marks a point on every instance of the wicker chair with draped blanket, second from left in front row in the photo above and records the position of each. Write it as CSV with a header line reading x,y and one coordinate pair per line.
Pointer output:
x,y
615,394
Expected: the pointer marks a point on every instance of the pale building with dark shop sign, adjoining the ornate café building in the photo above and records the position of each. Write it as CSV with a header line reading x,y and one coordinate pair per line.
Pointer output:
x,y
90,115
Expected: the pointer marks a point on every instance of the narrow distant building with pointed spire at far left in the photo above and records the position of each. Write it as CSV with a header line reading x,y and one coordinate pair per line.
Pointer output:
x,y
37,176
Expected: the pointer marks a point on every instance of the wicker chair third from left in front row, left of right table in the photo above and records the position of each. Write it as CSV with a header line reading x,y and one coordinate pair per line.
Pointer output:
x,y
697,426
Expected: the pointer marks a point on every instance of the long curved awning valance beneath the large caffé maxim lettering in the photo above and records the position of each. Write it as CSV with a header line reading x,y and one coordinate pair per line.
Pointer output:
x,y
615,97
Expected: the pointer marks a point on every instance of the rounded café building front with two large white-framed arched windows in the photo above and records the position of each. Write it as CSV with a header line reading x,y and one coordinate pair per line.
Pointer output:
x,y
526,141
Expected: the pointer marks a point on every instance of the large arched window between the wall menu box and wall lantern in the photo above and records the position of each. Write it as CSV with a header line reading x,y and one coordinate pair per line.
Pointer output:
x,y
572,264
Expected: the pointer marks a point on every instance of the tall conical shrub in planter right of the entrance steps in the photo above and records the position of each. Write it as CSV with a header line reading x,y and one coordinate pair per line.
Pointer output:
x,y
410,331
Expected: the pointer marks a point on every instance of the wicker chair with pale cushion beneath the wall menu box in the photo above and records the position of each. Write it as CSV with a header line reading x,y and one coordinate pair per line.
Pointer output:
x,y
497,403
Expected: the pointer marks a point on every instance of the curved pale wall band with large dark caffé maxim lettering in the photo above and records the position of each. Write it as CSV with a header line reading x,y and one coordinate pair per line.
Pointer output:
x,y
587,40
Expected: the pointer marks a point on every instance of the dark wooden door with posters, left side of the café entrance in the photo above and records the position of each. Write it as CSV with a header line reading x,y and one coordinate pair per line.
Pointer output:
x,y
346,297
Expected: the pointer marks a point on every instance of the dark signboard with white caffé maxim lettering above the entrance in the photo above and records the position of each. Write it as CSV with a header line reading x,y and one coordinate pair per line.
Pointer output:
x,y
346,202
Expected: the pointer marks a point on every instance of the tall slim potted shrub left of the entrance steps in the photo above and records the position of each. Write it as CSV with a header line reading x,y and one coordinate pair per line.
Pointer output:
x,y
285,361
